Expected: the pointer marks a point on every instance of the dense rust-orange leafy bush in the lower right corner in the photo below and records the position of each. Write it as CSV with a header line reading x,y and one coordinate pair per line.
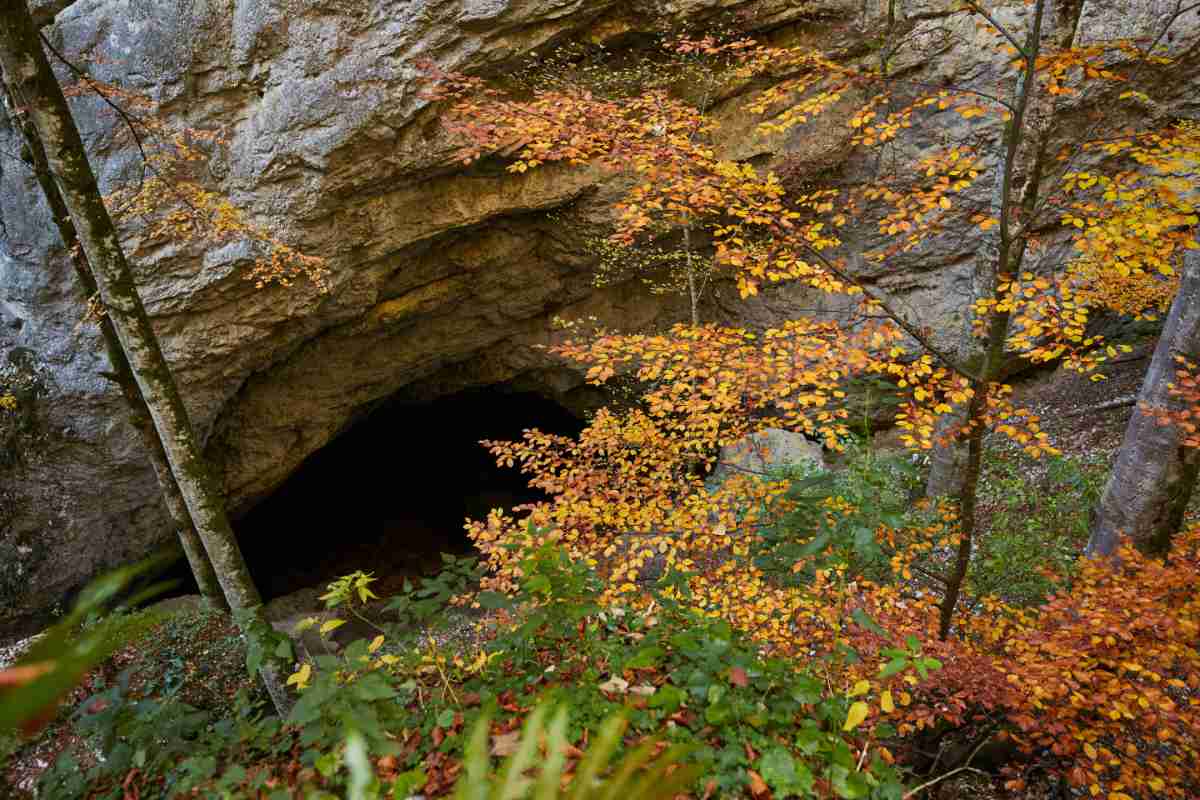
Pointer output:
x,y
1107,678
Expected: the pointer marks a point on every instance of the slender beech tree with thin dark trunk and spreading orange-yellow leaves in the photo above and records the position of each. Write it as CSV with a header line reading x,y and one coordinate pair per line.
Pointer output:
x,y
1127,226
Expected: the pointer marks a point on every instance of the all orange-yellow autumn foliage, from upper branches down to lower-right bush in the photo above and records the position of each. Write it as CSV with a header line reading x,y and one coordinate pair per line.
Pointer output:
x,y
1101,683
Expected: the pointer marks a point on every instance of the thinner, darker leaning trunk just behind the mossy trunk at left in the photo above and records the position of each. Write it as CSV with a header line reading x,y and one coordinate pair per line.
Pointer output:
x,y
140,416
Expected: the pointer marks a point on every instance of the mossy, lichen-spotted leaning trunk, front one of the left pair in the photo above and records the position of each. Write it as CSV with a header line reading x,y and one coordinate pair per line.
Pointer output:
x,y
35,87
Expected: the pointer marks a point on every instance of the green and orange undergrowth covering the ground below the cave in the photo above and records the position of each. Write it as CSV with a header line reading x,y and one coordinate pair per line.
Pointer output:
x,y
807,666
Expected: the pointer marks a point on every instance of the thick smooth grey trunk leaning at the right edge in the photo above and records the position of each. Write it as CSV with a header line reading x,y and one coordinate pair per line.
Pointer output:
x,y
1154,477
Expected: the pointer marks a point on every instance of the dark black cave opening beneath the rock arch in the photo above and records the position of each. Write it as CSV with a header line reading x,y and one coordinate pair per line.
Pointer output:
x,y
389,496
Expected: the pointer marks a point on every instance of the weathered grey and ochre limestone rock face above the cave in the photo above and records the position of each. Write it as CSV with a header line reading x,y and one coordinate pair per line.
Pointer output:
x,y
441,279
